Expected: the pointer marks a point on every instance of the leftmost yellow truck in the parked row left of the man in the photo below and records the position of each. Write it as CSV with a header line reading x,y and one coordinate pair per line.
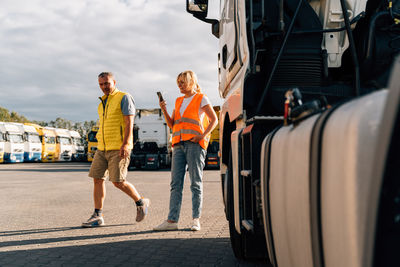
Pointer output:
x,y
48,140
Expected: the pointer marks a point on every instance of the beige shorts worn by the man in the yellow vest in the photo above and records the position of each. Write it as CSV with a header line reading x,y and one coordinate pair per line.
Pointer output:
x,y
109,163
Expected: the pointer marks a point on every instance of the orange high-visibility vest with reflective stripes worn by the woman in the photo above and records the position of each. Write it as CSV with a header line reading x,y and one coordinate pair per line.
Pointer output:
x,y
189,125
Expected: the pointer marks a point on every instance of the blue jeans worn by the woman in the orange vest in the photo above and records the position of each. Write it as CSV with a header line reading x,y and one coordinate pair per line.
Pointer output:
x,y
193,156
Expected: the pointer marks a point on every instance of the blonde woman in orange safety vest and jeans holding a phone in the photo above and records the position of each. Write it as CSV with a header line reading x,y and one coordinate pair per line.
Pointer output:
x,y
191,122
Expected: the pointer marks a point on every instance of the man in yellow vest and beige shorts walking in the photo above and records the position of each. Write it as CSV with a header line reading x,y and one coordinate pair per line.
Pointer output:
x,y
115,142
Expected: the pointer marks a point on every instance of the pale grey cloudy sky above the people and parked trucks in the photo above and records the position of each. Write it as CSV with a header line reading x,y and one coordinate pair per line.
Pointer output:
x,y
52,51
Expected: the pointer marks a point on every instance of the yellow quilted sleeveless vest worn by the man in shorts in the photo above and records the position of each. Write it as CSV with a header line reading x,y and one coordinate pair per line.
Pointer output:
x,y
111,131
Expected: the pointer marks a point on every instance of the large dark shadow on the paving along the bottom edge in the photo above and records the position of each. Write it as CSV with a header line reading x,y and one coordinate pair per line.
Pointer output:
x,y
144,252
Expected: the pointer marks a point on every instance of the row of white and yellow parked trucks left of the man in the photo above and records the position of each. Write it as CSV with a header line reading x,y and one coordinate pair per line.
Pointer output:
x,y
33,143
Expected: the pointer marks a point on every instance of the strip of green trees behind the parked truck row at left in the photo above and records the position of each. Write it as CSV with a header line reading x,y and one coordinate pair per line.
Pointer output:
x,y
81,127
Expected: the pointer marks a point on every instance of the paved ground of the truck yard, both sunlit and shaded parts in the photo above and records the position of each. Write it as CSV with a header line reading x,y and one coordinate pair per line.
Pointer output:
x,y
43,205
